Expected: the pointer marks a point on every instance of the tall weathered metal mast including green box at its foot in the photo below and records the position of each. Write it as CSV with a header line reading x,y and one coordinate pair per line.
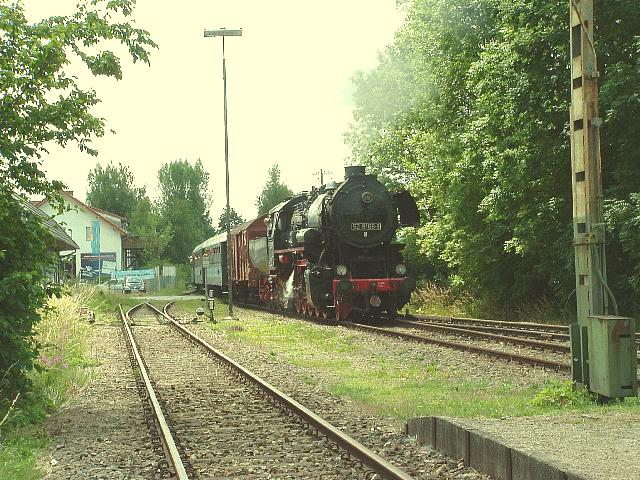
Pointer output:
x,y
602,344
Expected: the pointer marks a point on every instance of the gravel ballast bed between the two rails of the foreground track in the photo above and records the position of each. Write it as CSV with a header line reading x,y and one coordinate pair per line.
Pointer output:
x,y
226,427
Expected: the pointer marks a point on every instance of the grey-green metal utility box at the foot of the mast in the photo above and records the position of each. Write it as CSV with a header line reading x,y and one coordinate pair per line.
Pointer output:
x,y
613,362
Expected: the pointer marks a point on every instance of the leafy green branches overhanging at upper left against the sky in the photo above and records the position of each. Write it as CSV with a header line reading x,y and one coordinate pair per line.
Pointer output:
x,y
41,102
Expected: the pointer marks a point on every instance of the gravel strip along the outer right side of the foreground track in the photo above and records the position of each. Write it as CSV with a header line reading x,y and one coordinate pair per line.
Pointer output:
x,y
380,435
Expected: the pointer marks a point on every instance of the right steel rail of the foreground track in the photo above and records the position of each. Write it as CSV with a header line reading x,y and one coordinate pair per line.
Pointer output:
x,y
368,458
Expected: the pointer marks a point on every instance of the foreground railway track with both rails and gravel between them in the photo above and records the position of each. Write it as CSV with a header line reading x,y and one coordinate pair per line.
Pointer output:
x,y
217,420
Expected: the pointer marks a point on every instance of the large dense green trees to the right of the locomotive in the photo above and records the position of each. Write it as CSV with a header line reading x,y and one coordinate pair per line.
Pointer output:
x,y
469,109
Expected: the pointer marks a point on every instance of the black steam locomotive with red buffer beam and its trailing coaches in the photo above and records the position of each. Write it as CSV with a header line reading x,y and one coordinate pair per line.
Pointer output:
x,y
328,252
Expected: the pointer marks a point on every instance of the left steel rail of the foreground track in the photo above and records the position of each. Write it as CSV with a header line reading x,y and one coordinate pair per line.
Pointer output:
x,y
171,451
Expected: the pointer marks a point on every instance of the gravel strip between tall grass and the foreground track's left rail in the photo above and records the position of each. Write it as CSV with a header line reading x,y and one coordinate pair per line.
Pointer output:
x,y
102,433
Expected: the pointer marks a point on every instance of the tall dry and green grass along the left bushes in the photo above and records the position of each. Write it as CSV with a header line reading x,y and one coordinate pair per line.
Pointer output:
x,y
62,334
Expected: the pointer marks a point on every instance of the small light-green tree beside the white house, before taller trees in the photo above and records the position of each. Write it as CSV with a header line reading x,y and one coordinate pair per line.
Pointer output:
x,y
146,223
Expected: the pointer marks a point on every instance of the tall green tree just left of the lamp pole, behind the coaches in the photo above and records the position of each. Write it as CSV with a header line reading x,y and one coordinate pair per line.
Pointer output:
x,y
184,205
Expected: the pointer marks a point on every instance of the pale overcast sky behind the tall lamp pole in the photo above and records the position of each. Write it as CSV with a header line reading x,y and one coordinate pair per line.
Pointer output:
x,y
289,92
